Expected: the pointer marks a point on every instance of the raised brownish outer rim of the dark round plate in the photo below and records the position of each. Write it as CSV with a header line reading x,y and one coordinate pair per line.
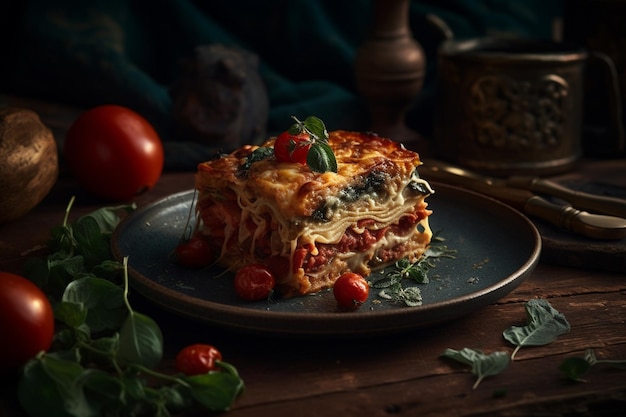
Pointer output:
x,y
345,323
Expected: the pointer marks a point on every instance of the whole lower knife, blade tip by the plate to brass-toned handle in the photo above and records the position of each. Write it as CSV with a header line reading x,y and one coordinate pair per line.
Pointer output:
x,y
565,217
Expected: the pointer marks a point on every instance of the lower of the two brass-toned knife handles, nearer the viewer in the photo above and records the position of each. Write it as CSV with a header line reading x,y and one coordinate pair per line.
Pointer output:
x,y
595,226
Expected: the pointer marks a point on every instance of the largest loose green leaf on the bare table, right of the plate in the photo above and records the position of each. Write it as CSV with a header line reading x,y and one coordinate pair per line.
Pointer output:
x,y
544,325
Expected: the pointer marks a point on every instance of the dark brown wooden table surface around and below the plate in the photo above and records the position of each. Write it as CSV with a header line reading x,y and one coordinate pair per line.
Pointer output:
x,y
400,374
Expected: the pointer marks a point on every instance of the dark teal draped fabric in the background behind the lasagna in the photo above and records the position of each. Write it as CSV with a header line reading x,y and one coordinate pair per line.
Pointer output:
x,y
86,53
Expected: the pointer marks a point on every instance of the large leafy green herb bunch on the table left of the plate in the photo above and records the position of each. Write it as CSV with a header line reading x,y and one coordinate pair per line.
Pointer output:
x,y
105,355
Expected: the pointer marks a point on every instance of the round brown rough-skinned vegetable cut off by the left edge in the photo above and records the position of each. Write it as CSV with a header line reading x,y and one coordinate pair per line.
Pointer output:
x,y
28,162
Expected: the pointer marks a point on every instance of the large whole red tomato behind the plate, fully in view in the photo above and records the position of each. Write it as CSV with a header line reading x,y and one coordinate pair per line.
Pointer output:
x,y
113,152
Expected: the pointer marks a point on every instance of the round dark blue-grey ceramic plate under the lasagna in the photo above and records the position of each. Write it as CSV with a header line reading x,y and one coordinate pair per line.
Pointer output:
x,y
497,248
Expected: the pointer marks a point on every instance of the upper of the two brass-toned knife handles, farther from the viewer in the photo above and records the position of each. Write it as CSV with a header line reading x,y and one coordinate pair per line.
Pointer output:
x,y
593,202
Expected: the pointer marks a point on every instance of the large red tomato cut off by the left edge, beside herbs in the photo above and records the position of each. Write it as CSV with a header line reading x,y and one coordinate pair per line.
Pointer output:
x,y
26,321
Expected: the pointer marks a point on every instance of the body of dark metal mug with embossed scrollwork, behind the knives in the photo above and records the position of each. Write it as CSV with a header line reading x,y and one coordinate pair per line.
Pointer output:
x,y
510,106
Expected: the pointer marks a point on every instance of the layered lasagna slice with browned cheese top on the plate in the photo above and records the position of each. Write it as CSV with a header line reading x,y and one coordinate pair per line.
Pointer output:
x,y
307,227
